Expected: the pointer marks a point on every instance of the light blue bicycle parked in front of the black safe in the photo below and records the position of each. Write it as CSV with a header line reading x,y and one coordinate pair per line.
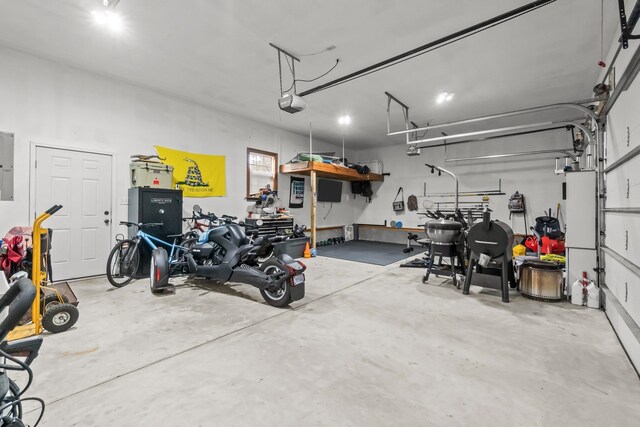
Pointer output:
x,y
124,259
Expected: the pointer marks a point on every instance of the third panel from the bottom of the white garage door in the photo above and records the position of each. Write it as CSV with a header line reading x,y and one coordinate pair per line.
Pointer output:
x,y
622,231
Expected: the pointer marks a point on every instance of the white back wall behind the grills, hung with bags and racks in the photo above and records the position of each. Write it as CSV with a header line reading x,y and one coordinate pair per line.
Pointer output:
x,y
532,176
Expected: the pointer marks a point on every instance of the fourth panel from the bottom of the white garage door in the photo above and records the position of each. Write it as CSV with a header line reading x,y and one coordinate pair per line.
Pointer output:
x,y
623,185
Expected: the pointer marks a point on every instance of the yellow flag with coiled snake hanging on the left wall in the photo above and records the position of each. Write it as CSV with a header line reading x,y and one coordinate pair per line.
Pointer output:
x,y
197,175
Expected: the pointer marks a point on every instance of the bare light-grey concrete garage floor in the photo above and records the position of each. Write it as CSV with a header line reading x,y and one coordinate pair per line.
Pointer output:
x,y
369,345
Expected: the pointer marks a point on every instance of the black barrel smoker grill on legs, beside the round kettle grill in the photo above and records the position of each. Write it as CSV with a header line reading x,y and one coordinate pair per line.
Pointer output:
x,y
490,241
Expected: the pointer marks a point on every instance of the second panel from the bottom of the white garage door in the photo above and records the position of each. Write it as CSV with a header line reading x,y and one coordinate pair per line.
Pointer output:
x,y
625,285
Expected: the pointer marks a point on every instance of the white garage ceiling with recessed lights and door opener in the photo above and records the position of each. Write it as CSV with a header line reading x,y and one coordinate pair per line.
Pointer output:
x,y
216,53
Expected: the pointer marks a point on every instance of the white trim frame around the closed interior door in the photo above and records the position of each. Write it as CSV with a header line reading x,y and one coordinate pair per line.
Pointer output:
x,y
32,178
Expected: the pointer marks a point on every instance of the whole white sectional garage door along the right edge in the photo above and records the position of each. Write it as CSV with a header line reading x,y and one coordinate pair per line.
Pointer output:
x,y
622,219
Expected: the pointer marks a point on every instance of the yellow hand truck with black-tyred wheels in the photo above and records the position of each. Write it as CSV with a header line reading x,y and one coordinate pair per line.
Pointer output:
x,y
55,307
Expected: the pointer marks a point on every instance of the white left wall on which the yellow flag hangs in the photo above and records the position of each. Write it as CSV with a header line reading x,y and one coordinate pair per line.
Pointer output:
x,y
54,104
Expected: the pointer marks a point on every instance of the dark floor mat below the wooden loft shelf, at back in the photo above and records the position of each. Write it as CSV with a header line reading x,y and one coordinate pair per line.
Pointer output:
x,y
378,253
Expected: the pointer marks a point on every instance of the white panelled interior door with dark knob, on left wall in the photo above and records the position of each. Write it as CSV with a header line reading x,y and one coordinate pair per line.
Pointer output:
x,y
81,183
